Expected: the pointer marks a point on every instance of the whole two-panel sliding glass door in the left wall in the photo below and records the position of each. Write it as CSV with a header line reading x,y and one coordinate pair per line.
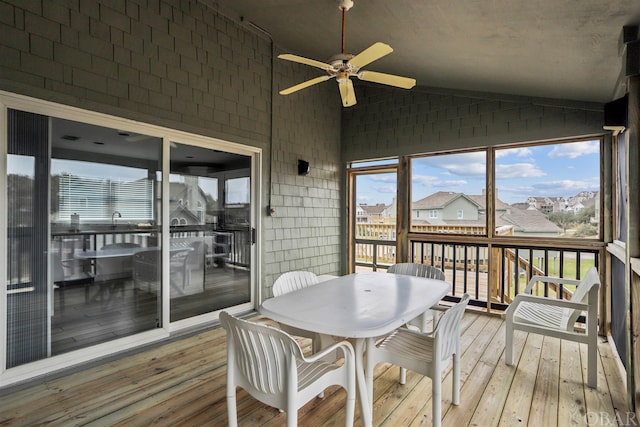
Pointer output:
x,y
87,260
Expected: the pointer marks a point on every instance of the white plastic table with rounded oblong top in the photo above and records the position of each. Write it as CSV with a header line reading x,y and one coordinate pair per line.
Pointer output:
x,y
362,306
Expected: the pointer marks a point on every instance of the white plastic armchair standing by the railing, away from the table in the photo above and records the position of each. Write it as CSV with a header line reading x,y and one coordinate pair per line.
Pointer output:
x,y
556,318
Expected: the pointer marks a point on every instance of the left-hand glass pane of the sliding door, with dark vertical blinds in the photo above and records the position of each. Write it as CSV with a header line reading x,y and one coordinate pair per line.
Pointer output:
x,y
82,206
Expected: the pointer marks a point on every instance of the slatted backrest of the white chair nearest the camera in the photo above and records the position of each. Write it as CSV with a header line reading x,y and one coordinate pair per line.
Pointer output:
x,y
259,356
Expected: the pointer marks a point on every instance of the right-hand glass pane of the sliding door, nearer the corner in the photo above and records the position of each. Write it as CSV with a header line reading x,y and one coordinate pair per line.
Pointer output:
x,y
211,234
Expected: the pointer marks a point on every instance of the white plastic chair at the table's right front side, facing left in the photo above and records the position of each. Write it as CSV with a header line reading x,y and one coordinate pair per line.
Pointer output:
x,y
425,353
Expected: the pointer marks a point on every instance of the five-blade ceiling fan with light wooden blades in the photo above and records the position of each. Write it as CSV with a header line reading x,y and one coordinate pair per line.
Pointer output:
x,y
345,65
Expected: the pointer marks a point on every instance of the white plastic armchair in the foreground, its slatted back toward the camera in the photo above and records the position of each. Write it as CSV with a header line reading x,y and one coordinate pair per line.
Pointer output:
x,y
269,364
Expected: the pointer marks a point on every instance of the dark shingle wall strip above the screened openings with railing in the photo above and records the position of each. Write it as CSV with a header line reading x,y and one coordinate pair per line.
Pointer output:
x,y
388,122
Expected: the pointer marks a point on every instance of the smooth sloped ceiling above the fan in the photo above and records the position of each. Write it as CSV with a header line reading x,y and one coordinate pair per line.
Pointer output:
x,y
568,49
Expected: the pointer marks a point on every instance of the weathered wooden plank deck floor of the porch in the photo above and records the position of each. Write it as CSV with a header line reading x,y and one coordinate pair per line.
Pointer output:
x,y
182,383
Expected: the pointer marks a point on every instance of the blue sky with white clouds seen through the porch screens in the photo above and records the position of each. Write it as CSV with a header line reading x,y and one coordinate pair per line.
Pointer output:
x,y
555,170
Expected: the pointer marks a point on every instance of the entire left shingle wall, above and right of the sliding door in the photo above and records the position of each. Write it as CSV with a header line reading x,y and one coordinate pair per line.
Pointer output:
x,y
182,65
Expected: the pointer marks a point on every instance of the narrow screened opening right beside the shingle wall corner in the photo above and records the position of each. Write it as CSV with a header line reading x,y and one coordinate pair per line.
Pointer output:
x,y
373,220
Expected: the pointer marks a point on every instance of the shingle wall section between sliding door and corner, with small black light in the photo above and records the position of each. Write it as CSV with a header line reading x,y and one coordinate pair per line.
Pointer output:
x,y
304,233
